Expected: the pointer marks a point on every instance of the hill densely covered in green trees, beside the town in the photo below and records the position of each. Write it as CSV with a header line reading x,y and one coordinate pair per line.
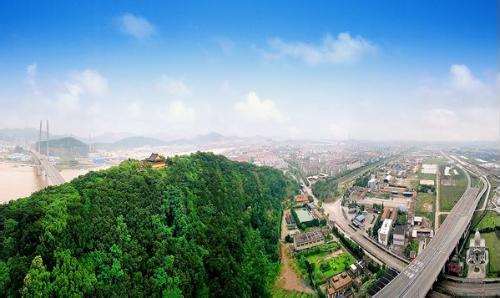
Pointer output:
x,y
203,226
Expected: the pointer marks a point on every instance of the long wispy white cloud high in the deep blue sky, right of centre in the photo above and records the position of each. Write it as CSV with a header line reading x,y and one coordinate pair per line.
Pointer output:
x,y
334,50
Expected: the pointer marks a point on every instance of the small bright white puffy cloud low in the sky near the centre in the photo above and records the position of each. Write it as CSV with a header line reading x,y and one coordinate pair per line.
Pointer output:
x,y
255,109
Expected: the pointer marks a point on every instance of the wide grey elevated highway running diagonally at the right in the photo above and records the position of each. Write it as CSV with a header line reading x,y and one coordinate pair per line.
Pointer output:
x,y
419,276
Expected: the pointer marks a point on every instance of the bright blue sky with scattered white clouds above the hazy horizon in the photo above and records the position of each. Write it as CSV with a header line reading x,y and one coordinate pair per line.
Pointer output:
x,y
428,70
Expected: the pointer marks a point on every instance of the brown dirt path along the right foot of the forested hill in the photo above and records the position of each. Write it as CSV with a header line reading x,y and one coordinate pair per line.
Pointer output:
x,y
289,280
